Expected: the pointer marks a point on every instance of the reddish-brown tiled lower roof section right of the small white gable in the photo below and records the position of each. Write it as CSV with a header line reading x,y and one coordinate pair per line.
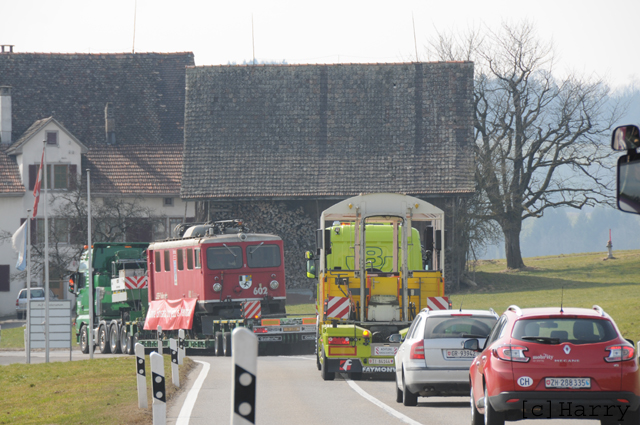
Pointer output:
x,y
135,169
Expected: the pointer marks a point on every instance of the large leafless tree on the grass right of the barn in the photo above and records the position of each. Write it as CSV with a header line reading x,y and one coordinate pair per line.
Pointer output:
x,y
541,142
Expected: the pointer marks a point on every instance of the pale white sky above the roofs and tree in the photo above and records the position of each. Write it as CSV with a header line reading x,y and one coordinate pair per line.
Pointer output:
x,y
596,39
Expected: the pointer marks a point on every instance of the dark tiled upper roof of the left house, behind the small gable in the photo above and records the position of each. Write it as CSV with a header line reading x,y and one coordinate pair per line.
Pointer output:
x,y
146,90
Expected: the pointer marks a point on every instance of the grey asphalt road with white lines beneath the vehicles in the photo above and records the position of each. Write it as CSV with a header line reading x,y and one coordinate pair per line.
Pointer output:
x,y
291,392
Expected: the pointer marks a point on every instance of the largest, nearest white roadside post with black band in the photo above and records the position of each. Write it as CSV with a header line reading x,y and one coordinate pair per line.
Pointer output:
x,y
243,379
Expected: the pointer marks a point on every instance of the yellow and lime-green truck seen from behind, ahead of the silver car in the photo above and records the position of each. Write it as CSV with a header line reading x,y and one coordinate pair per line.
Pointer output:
x,y
374,273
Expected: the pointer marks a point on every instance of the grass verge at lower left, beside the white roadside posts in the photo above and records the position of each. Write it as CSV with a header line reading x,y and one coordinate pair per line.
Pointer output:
x,y
96,392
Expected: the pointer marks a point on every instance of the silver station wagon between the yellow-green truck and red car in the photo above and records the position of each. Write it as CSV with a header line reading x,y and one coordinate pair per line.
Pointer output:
x,y
432,360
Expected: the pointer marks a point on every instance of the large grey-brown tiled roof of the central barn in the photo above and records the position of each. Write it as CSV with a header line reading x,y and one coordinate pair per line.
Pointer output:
x,y
274,131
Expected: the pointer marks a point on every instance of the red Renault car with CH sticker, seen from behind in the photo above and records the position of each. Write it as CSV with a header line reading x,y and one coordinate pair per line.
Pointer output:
x,y
540,363
